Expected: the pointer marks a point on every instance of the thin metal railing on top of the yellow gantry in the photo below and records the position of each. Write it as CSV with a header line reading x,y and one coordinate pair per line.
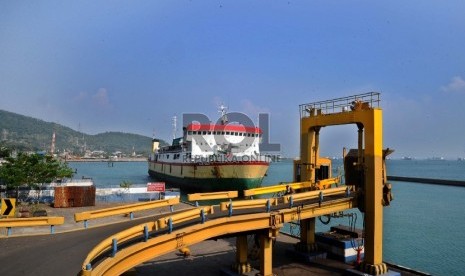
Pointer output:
x,y
339,104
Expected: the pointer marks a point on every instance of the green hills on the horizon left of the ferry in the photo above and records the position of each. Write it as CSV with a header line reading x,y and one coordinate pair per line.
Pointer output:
x,y
30,134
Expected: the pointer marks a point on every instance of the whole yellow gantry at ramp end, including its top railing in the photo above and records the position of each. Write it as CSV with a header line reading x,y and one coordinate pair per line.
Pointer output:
x,y
364,167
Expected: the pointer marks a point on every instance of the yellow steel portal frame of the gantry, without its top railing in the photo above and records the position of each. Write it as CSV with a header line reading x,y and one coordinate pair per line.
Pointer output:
x,y
371,120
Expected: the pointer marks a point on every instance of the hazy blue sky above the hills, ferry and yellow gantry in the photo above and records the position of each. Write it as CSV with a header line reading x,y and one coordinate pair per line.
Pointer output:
x,y
130,66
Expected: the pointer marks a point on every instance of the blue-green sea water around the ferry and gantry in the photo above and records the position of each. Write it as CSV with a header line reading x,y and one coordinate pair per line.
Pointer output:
x,y
423,227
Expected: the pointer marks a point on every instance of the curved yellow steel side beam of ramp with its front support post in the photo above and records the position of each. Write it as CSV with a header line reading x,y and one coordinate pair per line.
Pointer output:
x,y
141,252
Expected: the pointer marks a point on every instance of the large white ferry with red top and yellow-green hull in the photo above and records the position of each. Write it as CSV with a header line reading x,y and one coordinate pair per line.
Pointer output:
x,y
211,157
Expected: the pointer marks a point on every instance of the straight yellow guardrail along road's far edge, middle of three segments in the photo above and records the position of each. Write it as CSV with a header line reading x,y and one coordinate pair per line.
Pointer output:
x,y
124,209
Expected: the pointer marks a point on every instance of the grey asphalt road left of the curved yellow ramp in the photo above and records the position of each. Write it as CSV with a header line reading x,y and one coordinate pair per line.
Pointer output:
x,y
57,254
